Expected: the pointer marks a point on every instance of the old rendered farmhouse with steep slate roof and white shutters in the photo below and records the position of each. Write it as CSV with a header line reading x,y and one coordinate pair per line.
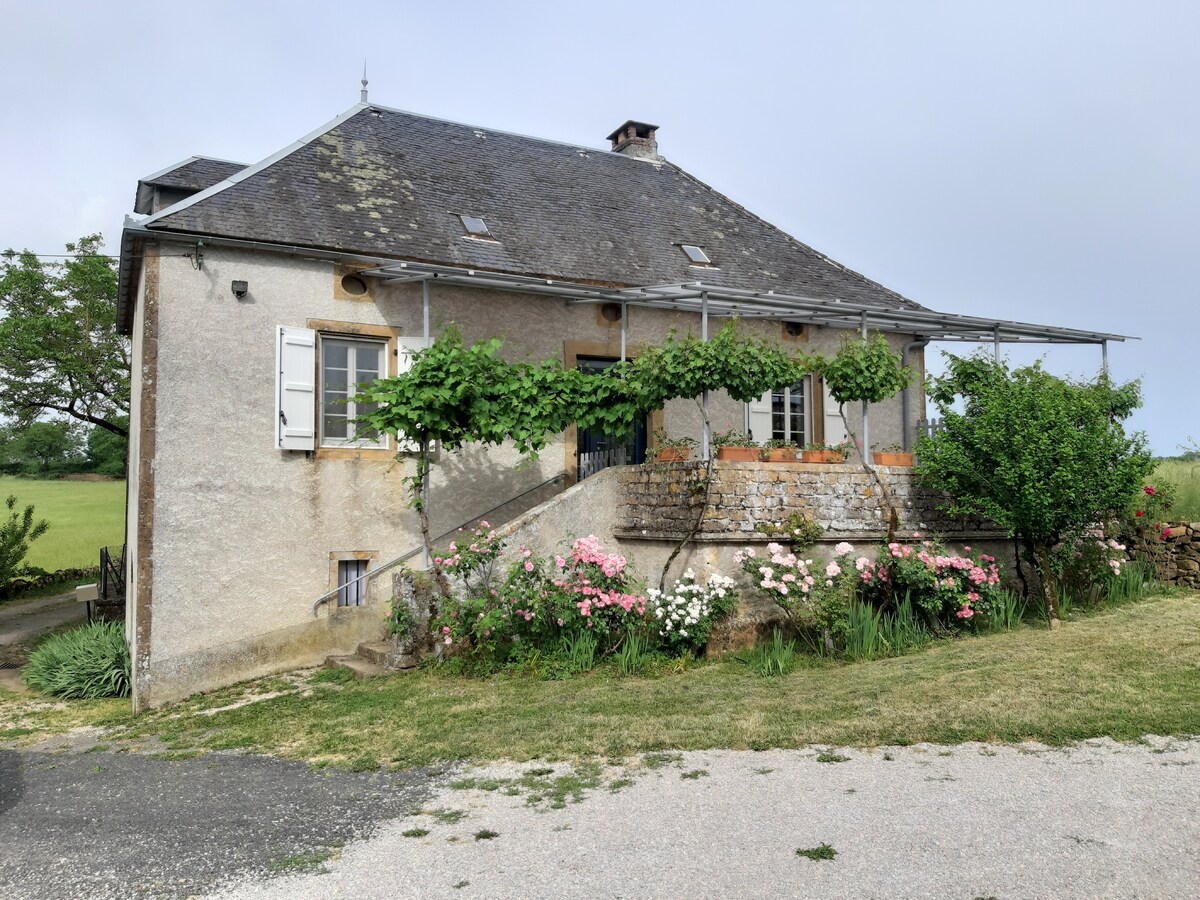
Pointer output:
x,y
259,297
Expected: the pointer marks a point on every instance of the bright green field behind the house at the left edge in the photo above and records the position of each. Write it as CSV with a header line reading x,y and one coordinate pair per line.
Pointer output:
x,y
85,517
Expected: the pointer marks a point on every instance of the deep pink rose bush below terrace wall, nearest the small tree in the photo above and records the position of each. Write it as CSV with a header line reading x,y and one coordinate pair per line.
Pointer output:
x,y
950,589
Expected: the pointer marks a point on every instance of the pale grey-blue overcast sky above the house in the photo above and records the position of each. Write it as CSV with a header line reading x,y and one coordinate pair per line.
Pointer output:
x,y
1035,161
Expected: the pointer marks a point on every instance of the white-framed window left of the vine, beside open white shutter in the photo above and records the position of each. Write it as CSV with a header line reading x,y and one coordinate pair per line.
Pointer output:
x,y
346,365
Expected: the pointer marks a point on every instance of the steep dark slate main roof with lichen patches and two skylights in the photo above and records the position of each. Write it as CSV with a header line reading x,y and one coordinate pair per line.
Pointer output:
x,y
393,184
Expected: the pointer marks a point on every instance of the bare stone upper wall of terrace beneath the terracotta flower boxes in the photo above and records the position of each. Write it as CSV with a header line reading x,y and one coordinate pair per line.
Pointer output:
x,y
663,501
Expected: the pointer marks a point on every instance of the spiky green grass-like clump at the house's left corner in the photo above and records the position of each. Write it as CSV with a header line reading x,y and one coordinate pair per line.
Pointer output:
x,y
83,664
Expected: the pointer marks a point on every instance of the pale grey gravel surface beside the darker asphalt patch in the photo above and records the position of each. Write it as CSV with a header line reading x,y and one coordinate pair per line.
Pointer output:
x,y
971,821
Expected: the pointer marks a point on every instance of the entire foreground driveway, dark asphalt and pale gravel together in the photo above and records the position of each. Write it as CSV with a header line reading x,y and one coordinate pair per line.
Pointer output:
x,y
970,821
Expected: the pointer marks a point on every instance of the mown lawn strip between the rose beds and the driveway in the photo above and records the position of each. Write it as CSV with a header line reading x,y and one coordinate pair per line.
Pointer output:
x,y
1124,673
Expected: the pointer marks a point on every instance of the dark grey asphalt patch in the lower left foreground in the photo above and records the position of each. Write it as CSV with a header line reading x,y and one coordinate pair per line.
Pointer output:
x,y
107,825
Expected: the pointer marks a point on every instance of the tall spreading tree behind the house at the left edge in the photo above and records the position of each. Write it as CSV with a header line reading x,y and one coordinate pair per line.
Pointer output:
x,y
59,349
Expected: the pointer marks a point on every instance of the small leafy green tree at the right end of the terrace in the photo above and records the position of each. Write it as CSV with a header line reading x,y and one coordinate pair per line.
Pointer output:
x,y
1041,457
